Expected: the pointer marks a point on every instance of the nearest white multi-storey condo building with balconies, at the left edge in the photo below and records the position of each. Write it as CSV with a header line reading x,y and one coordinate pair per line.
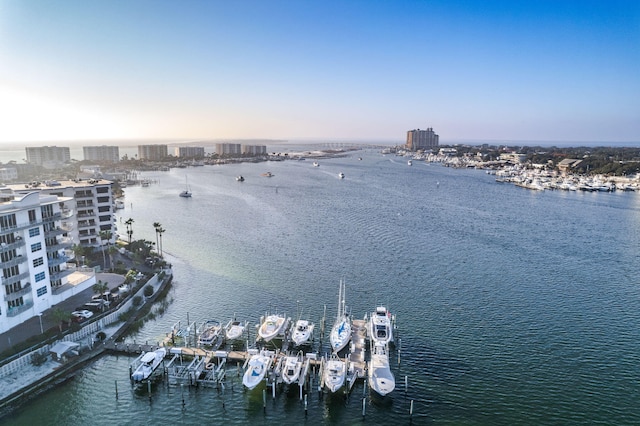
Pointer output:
x,y
34,249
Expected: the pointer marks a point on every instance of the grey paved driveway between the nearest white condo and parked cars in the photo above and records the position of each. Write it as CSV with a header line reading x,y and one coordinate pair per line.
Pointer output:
x,y
31,327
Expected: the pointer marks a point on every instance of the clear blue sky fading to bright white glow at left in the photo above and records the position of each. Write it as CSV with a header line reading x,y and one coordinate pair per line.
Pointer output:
x,y
369,70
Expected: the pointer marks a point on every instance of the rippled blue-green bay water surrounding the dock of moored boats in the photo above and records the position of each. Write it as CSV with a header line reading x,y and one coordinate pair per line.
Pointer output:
x,y
513,306
